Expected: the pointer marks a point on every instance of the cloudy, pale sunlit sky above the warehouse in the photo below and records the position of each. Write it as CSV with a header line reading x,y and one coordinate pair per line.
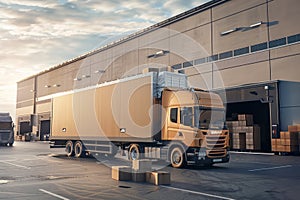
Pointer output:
x,y
38,34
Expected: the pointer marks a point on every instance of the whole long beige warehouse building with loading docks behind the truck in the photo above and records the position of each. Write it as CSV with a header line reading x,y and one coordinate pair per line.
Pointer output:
x,y
248,52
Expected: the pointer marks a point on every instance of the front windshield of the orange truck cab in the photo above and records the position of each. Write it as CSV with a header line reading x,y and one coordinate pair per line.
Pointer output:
x,y
209,118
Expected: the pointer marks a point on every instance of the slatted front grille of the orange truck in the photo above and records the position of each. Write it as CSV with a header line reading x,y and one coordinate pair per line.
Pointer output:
x,y
216,146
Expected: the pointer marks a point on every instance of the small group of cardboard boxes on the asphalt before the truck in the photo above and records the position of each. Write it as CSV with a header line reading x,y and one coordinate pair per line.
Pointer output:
x,y
141,171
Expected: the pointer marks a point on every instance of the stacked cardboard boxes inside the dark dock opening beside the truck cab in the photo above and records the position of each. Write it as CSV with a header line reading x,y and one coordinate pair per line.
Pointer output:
x,y
243,133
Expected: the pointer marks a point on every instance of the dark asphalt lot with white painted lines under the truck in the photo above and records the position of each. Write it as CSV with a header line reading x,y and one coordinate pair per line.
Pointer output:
x,y
31,170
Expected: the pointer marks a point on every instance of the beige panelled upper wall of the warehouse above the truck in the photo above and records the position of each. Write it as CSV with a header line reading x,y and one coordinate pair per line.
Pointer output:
x,y
268,52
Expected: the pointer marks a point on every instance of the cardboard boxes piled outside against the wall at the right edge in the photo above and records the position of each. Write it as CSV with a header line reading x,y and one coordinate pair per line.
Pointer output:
x,y
289,141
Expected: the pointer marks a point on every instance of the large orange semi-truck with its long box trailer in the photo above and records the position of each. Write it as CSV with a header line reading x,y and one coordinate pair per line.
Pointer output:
x,y
154,115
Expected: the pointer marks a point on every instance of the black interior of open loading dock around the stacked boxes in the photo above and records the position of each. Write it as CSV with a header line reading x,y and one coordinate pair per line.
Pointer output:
x,y
261,116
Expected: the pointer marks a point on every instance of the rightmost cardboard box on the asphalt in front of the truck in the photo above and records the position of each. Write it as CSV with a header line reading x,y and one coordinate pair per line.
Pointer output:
x,y
158,178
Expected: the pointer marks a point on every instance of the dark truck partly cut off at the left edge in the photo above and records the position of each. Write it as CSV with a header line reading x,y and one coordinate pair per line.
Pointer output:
x,y
6,130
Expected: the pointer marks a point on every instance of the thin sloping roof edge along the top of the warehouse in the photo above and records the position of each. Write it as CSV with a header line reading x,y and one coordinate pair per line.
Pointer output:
x,y
149,29
